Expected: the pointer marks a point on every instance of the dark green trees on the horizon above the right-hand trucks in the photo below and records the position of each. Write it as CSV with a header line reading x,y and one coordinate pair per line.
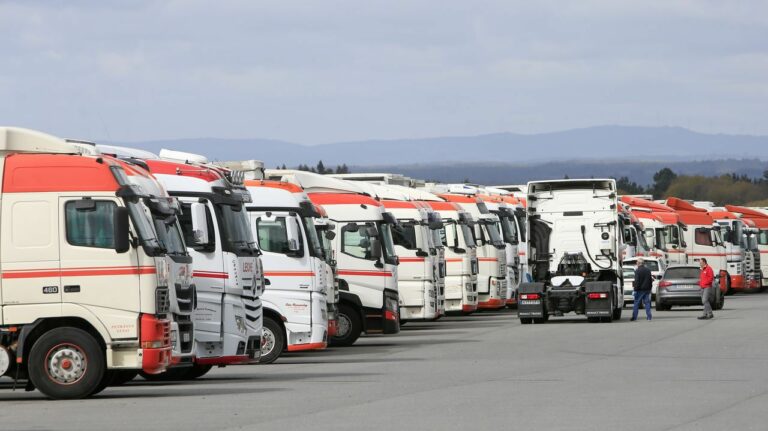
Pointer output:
x,y
723,189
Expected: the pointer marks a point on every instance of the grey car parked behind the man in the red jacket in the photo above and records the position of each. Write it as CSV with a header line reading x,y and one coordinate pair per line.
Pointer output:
x,y
680,286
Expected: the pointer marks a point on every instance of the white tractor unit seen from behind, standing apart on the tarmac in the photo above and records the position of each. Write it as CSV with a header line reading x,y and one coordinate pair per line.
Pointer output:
x,y
575,243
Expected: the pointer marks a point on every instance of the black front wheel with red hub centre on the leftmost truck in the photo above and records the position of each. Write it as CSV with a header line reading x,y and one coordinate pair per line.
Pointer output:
x,y
66,363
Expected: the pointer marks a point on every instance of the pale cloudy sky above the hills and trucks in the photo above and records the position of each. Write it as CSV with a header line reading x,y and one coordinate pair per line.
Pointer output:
x,y
319,71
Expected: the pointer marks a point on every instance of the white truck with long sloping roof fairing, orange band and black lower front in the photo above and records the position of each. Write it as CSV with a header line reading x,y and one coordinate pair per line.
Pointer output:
x,y
364,249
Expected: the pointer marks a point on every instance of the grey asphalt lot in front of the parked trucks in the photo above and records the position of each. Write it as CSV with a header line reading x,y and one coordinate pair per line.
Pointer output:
x,y
480,372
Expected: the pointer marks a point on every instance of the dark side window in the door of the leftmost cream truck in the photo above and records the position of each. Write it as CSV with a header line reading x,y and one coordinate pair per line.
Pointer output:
x,y
91,226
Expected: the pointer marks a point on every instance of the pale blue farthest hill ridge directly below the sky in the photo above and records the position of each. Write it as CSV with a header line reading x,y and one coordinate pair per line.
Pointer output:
x,y
652,144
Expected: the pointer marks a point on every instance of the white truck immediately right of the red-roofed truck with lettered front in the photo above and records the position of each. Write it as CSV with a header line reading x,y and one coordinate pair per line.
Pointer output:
x,y
296,275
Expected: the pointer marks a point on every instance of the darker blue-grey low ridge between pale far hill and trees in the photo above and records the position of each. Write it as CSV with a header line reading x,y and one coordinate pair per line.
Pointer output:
x,y
640,172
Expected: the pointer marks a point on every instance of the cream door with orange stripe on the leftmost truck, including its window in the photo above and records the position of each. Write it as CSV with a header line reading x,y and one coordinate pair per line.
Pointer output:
x,y
92,272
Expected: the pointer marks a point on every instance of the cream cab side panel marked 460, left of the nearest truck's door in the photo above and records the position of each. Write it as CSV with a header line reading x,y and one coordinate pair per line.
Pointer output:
x,y
30,255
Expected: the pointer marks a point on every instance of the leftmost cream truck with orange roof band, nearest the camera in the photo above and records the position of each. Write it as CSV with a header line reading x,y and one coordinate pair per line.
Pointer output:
x,y
84,280
